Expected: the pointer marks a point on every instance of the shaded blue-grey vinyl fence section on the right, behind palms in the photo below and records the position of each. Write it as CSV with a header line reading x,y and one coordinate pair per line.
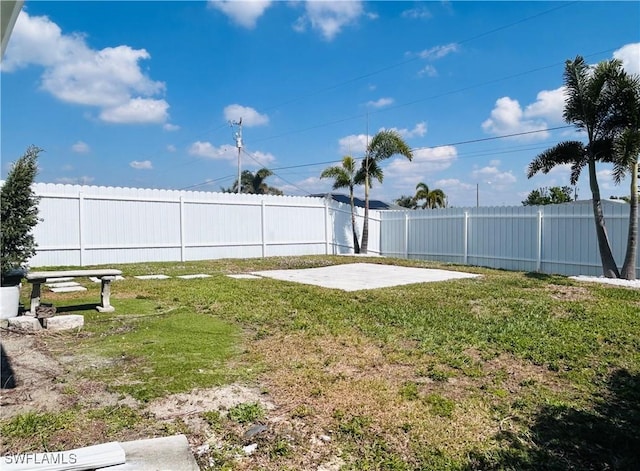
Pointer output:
x,y
550,239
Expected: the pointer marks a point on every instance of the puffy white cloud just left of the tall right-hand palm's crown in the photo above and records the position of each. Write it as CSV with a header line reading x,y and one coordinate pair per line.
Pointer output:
x,y
507,117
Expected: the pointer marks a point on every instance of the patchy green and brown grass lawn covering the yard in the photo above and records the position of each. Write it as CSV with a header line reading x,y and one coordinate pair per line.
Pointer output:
x,y
507,371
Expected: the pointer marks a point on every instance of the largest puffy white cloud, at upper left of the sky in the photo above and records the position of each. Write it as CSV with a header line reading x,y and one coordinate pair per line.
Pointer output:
x,y
110,78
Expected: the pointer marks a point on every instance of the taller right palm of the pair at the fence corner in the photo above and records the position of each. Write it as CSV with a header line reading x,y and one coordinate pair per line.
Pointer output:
x,y
383,145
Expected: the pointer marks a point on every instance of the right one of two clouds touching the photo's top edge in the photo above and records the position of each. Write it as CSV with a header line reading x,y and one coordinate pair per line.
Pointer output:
x,y
329,18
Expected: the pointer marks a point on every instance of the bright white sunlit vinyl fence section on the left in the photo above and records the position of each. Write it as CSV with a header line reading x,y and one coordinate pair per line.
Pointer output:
x,y
86,225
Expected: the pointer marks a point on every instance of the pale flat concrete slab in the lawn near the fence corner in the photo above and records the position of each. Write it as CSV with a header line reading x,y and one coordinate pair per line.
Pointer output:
x,y
359,276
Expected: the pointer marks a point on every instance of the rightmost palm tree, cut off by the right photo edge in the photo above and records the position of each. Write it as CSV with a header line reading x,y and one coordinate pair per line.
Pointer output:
x,y
627,150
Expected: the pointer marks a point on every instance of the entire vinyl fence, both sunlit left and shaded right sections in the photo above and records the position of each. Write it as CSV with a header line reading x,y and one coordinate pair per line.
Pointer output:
x,y
87,225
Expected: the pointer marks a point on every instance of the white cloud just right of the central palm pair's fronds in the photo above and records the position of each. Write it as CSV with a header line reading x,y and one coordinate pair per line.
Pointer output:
x,y
425,161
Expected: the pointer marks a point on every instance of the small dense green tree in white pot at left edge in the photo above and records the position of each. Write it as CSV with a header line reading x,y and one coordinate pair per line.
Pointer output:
x,y
19,215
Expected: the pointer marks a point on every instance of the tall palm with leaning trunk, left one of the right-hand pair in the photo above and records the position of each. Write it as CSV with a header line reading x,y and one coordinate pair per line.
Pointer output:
x,y
589,105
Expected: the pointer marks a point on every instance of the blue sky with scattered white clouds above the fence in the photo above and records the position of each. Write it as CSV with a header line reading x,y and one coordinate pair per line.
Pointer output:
x,y
140,94
